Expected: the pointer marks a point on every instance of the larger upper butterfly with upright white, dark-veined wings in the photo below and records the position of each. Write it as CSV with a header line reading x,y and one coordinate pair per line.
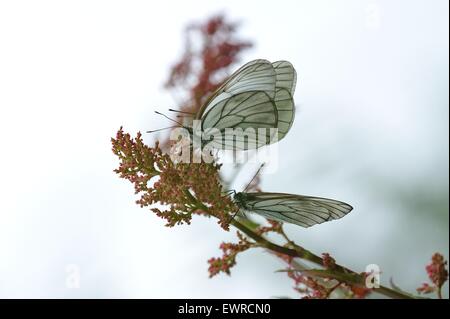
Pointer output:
x,y
255,104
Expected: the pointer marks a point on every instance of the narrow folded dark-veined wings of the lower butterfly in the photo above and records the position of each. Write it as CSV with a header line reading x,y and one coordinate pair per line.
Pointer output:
x,y
304,211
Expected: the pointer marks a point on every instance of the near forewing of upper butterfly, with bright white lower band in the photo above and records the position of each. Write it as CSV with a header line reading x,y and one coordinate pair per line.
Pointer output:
x,y
256,75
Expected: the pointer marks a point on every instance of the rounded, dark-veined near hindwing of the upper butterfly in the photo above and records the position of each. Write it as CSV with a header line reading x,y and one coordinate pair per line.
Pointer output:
x,y
248,111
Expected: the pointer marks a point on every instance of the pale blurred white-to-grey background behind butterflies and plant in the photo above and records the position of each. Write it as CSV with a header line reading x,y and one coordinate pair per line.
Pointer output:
x,y
371,130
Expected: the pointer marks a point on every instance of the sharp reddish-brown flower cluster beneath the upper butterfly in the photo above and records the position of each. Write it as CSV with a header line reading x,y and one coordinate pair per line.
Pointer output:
x,y
185,188
